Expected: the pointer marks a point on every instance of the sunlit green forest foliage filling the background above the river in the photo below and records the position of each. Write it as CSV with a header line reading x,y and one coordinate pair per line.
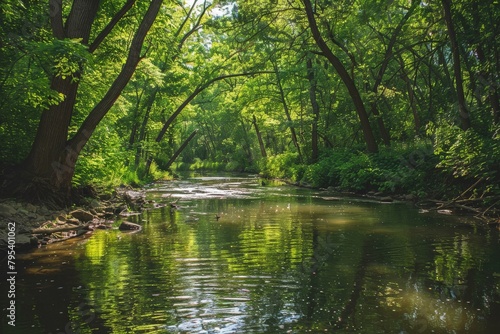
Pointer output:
x,y
412,88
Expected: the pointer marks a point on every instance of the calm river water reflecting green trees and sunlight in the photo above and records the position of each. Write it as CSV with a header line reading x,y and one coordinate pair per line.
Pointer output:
x,y
278,260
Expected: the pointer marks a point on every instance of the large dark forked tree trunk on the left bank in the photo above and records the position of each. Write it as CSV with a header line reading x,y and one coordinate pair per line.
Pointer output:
x,y
52,159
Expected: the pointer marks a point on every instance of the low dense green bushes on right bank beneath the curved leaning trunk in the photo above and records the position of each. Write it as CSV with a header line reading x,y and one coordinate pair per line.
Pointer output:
x,y
400,170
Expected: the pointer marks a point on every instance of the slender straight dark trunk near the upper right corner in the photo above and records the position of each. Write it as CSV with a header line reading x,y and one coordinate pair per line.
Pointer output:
x,y
457,69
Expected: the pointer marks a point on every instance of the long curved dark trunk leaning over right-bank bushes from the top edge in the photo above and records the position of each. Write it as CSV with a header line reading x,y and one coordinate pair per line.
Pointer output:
x,y
370,141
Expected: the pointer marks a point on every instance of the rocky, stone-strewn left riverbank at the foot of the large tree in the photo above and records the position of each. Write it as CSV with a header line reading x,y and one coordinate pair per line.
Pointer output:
x,y
36,225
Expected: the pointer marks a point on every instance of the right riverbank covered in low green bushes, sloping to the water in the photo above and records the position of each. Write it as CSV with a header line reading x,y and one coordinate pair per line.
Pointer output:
x,y
418,173
